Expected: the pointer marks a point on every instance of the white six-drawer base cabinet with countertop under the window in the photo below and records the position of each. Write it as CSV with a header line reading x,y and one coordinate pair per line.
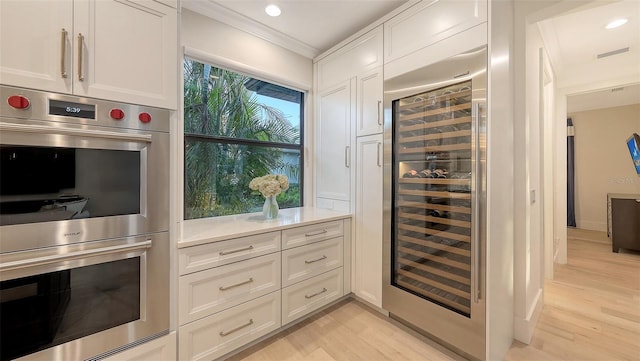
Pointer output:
x,y
231,284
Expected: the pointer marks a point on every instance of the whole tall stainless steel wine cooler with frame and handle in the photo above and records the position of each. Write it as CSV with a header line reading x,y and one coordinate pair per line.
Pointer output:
x,y
435,126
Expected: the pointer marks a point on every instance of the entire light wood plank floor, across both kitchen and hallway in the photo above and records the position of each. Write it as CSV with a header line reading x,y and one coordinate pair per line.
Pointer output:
x,y
591,312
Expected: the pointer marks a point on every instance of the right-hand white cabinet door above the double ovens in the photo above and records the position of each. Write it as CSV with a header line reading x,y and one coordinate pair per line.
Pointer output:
x,y
126,51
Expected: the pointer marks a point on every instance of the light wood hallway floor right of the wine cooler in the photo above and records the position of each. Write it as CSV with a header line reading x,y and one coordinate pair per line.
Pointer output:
x,y
592,307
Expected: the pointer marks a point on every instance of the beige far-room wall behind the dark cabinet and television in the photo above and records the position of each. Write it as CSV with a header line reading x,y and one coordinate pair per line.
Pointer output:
x,y
602,161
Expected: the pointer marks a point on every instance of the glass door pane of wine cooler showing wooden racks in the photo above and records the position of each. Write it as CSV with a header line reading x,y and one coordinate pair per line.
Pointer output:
x,y
432,198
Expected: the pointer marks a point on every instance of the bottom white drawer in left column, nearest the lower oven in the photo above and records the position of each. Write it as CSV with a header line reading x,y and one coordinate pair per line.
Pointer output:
x,y
216,335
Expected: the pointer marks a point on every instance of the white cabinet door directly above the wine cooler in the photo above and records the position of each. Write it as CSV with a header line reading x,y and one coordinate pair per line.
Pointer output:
x,y
429,22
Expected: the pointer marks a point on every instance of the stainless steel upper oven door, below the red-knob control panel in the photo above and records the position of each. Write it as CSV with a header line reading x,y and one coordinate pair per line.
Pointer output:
x,y
64,183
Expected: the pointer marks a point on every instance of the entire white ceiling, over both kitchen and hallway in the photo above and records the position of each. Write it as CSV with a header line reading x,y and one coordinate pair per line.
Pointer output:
x,y
573,40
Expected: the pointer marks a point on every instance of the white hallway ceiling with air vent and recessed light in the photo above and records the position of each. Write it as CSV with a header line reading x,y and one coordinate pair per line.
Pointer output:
x,y
573,42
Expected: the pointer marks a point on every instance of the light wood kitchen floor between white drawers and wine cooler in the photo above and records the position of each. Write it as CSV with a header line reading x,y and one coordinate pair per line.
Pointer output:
x,y
346,331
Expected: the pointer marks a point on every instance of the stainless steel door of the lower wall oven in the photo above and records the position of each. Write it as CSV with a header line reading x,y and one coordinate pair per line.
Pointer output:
x,y
84,300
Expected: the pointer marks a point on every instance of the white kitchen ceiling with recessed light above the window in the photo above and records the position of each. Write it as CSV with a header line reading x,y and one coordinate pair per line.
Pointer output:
x,y
308,27
